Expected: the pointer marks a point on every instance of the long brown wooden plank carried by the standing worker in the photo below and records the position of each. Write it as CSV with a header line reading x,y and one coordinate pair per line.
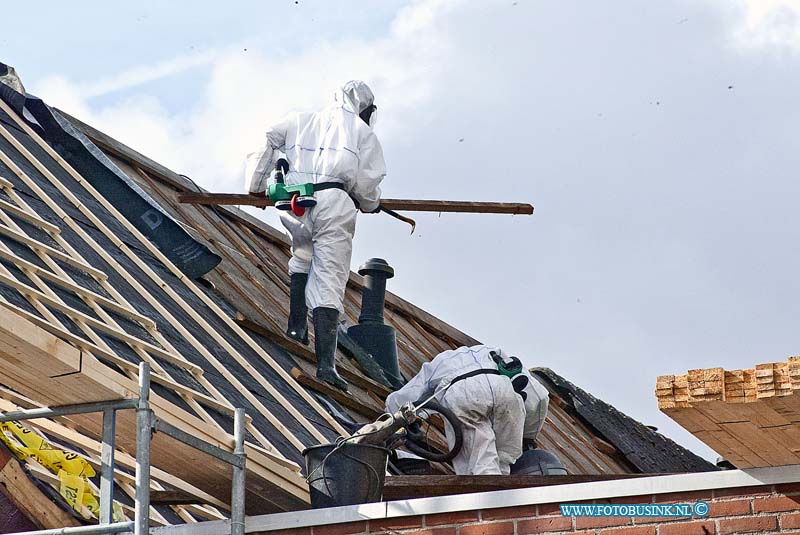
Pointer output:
x,y
409,205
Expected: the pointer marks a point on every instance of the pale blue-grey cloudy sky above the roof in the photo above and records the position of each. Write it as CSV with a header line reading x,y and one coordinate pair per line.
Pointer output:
x,y
657,140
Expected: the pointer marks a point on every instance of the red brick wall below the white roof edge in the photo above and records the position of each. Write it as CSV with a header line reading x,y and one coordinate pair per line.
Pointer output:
x,y
752,510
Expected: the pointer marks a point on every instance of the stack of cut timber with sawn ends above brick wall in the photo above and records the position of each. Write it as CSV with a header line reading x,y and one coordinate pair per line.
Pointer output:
x,y
751,417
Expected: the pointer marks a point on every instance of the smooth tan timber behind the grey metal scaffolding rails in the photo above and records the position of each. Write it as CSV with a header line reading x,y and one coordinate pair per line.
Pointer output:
x,y
26,349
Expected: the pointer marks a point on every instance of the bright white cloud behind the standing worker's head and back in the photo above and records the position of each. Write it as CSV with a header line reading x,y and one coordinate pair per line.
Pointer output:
x,y
245,93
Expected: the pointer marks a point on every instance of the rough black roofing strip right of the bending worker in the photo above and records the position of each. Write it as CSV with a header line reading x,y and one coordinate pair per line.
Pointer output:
x,y
648,450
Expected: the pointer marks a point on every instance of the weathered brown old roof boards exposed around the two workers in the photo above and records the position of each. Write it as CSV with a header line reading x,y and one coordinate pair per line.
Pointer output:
x,y
420,335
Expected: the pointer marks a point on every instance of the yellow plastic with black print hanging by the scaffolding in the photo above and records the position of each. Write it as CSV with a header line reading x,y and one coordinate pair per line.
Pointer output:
x,y
73,471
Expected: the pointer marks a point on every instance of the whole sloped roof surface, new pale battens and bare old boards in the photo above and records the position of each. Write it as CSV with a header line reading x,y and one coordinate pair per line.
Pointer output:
x,y
72,264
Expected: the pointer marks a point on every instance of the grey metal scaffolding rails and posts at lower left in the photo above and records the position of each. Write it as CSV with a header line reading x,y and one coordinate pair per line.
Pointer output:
x,y
146,424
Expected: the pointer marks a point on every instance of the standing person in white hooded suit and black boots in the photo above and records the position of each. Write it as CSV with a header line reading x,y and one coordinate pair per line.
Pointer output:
x,y
337,150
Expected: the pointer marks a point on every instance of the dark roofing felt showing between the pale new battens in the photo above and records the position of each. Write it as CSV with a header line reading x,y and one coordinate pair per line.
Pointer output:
x,y
138,302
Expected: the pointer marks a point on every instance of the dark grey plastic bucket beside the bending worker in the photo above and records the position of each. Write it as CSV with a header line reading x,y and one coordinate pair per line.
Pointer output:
x,y
352,474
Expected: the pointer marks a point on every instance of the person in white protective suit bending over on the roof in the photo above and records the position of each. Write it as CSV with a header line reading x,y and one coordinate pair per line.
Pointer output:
x,y
498,412
